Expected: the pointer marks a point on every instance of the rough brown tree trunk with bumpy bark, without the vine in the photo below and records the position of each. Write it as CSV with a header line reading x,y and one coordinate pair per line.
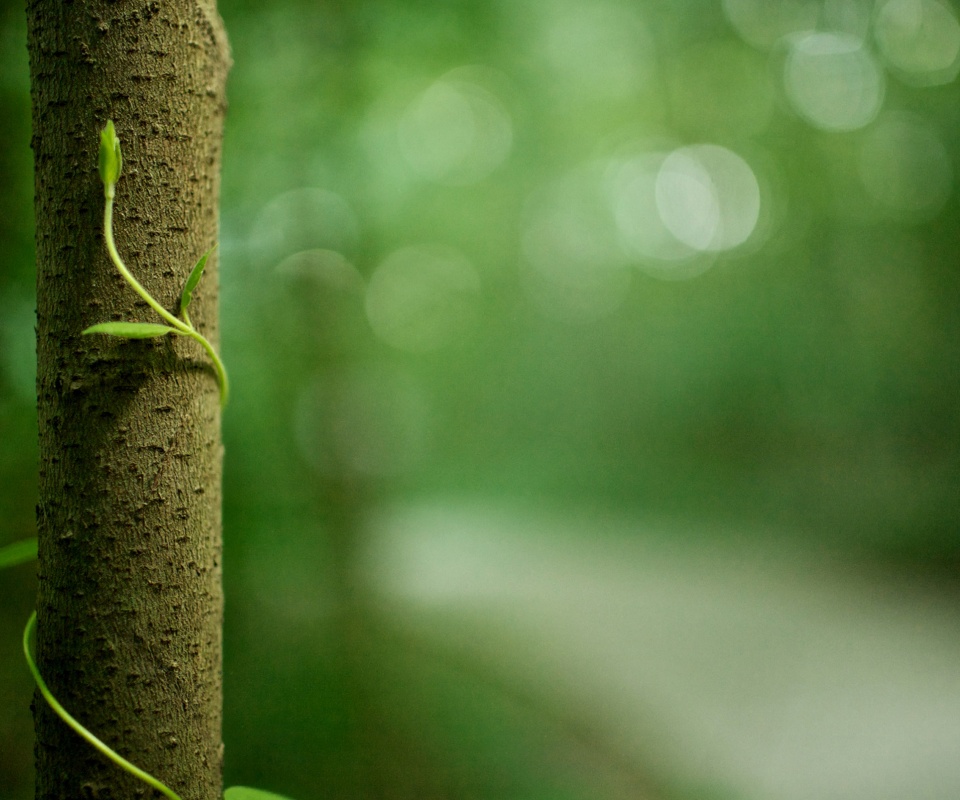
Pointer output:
x,y
130,604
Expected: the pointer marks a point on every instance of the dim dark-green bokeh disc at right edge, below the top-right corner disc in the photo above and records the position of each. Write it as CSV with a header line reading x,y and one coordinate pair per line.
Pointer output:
x,y
905,168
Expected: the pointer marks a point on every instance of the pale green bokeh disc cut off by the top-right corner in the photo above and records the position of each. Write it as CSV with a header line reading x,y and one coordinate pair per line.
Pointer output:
x,y
920,40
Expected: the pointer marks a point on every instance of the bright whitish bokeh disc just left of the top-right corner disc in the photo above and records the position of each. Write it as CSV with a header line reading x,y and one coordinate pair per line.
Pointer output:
x,y
833,81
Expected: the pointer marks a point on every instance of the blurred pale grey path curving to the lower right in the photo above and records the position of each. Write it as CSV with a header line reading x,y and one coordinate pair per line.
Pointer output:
x,y
759,671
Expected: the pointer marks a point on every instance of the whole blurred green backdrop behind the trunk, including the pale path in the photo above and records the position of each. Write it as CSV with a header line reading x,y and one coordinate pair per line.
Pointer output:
x,y
595,425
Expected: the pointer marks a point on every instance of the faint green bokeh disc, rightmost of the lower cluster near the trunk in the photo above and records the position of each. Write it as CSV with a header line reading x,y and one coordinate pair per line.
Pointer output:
x,y
420,298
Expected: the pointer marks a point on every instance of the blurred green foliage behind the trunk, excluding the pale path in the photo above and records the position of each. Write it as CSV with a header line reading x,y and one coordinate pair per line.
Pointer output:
x,y
435,284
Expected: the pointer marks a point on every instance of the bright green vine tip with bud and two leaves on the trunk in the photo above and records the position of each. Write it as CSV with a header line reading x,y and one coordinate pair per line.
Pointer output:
x,y
111,163
